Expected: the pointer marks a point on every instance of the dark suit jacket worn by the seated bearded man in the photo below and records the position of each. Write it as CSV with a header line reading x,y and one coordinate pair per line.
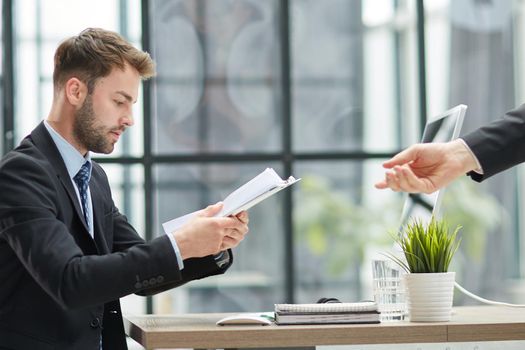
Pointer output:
x,y
59,287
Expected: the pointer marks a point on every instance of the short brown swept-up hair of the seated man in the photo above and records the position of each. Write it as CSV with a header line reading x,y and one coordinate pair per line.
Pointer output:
x,y
93,54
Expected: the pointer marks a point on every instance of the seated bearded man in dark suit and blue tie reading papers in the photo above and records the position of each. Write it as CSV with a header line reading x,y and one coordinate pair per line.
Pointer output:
x,y
66,253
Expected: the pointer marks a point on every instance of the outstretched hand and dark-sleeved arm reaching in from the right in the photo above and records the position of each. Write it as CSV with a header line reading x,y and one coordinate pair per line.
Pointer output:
x,y
493,148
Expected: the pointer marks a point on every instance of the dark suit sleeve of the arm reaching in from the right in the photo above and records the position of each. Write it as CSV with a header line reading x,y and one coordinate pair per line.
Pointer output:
x,y
499,145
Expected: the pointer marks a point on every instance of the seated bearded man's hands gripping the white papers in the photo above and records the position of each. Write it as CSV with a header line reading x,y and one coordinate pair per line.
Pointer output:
x,y
207,235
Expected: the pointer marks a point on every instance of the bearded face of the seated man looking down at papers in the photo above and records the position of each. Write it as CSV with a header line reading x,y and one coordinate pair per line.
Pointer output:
x,y
107,111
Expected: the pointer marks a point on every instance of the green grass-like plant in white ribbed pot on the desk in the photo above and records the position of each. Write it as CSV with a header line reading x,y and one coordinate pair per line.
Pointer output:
x,y
428,249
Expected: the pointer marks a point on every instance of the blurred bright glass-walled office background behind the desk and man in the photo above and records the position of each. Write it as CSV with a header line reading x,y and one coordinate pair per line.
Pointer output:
x,y
322,90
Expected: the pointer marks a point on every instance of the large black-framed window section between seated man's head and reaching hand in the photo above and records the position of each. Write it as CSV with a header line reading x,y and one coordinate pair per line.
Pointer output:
x,y
314,89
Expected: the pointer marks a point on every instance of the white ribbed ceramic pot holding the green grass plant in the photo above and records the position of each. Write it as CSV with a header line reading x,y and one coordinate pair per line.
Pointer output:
x,y
429,296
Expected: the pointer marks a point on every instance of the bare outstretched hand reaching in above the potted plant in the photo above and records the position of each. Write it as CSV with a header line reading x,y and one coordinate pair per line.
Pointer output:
x,y
427,167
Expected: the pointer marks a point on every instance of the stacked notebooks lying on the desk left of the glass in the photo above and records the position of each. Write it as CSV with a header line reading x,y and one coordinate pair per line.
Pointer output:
x,y
362,312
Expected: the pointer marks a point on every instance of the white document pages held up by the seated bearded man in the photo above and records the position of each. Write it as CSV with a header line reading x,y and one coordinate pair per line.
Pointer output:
x,y
254,191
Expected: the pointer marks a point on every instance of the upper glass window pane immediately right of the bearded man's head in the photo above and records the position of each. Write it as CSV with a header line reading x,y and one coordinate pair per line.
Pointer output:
x,y
218,83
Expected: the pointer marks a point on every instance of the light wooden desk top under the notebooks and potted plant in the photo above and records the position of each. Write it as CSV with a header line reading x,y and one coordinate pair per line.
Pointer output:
x,y
468,324
